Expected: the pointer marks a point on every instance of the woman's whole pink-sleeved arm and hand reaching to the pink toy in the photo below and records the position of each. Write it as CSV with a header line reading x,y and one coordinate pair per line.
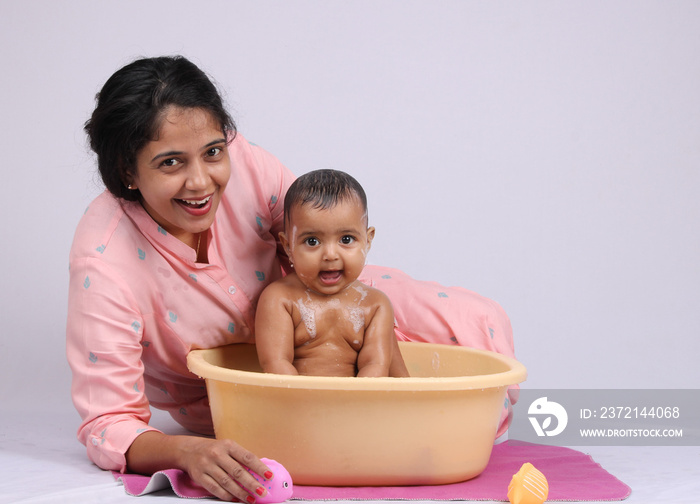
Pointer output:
x,y
104,350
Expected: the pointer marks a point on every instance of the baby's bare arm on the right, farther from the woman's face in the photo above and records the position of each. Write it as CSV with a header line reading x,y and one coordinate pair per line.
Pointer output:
x,y
377,349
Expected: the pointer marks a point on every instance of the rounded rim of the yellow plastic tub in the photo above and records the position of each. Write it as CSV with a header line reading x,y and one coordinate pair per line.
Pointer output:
x,y
516,373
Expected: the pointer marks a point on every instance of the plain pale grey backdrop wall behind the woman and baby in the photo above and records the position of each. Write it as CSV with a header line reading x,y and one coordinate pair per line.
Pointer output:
x,y
544,154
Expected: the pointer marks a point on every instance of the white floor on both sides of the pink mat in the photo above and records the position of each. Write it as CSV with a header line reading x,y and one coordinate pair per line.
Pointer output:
x,y
42,462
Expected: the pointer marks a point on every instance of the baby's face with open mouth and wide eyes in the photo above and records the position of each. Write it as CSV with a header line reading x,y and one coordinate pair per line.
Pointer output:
x,y
328,248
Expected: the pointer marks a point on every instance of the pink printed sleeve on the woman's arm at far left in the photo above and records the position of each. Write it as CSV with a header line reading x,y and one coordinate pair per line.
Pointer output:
x,y
103,347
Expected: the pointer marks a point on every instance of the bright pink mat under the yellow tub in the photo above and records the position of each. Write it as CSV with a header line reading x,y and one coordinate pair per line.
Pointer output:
x,y
572,476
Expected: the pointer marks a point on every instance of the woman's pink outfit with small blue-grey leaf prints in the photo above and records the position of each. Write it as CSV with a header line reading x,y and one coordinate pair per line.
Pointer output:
x,y
138,303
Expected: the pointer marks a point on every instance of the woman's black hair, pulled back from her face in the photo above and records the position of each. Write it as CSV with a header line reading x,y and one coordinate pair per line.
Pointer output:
x,y
130,108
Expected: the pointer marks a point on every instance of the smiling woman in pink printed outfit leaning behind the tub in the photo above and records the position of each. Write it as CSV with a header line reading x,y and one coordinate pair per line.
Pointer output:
x,y
173,256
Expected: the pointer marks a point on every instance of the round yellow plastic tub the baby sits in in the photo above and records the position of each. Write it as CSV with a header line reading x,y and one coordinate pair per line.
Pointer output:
x,y
436,427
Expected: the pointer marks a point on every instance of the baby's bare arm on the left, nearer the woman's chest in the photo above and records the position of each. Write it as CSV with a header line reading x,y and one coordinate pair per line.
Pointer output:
x,y
274,331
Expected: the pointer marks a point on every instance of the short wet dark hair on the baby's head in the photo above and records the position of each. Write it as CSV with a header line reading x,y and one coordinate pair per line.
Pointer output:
x,y
323,189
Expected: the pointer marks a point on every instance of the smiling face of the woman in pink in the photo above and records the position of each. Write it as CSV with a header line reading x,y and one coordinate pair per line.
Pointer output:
x,y
183,172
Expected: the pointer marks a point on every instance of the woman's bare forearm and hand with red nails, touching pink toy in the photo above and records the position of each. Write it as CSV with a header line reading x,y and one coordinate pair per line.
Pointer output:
x,y
219,466
